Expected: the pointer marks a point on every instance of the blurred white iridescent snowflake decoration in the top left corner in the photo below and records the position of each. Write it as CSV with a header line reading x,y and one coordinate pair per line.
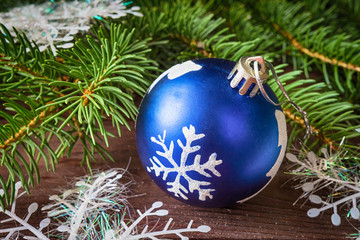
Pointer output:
x,y
55,25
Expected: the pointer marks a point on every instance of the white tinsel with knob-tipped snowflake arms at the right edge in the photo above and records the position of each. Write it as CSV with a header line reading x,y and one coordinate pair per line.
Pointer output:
x,y
328,171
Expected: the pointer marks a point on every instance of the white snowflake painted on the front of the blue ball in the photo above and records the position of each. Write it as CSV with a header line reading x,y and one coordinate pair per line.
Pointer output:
x,y
181,170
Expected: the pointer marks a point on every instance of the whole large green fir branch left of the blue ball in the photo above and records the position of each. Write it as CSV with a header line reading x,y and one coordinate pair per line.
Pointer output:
x,y
66,98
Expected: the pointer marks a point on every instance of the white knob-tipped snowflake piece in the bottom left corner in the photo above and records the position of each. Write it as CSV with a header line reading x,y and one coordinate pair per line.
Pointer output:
x,y
22,223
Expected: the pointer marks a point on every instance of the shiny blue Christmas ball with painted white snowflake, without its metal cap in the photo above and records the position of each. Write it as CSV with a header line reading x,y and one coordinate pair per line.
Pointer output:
x,y
202,142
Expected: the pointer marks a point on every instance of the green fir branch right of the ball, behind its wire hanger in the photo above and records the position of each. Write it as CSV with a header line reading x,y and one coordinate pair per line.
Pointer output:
x,y
329,116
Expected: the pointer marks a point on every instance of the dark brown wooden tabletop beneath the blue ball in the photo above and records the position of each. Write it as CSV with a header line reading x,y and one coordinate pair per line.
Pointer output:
x,y
269,215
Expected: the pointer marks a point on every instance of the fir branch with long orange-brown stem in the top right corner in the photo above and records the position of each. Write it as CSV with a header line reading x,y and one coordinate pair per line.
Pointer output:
x,y
314,43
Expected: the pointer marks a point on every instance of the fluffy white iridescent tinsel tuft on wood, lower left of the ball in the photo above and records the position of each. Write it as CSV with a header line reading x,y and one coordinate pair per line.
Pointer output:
x,y
95,205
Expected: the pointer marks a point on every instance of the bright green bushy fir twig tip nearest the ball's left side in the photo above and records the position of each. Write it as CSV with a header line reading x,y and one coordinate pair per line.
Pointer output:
x,y
95,85
